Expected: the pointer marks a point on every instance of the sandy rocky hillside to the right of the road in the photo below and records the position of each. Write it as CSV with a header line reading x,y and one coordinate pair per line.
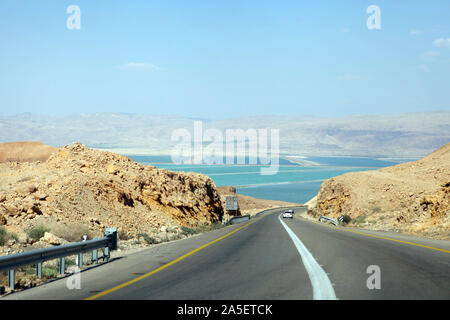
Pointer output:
x,y
413,197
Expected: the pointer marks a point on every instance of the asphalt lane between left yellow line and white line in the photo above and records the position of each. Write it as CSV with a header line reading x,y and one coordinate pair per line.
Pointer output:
x,y
258,262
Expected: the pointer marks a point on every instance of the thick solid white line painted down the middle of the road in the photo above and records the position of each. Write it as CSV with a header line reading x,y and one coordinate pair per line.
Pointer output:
x,y
321,284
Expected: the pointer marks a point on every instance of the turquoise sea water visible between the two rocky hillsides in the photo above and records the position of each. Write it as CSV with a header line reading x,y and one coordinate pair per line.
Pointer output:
x,y
292,183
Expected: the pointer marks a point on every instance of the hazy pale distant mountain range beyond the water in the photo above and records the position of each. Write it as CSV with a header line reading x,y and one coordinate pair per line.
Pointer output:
x,y
404,135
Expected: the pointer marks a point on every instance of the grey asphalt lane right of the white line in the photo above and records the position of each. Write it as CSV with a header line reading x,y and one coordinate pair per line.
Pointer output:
x,y
406,271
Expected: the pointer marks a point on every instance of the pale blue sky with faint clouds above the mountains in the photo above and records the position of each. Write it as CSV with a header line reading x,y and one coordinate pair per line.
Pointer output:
x,y
222,59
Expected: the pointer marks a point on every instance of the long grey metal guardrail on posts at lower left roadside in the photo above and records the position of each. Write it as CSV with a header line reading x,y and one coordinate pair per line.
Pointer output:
x,y
37,257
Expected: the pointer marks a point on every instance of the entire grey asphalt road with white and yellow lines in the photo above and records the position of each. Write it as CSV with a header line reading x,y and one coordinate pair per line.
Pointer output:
x,y
261,259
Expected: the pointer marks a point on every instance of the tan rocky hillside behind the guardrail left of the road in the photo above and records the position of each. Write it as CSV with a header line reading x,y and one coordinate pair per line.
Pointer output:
x,y
80,190
